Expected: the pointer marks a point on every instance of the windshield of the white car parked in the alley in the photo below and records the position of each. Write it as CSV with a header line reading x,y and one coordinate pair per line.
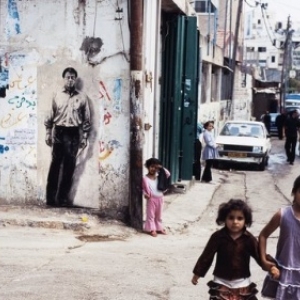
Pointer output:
x,y
239,129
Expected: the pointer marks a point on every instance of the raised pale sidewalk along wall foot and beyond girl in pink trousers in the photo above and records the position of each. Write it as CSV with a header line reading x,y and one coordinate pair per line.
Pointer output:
x,y
181,209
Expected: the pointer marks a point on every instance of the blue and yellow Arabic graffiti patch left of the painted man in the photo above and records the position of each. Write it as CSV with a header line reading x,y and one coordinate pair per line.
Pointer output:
x,y
18,118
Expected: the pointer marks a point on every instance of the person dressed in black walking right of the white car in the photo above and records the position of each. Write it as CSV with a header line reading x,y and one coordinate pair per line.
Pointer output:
x,y
291,127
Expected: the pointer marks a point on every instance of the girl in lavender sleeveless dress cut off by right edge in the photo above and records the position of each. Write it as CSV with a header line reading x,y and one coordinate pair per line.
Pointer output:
x,y
288,251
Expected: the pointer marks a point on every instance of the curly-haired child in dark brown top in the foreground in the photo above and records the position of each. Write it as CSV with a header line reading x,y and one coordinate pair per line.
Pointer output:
x,y
234,245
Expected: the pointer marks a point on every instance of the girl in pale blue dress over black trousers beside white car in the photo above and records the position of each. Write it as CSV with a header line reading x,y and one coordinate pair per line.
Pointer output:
x,y
210,151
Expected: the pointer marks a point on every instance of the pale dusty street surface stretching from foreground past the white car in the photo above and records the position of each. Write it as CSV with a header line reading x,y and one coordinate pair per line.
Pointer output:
x,y
112,261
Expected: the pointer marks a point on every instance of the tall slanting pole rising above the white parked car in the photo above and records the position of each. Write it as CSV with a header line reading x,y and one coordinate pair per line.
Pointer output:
x,y
235,47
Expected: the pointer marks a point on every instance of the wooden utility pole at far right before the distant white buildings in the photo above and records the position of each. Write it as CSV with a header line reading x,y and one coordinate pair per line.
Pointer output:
x,y
285,64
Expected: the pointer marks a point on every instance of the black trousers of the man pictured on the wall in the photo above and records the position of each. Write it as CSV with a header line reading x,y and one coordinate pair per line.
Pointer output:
x,y
60,176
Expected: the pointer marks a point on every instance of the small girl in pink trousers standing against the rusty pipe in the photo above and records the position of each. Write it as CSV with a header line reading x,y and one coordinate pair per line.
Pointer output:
x,y
154,197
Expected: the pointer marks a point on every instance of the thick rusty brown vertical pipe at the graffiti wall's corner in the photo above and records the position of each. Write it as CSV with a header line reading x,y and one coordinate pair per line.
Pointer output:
x,y
136,109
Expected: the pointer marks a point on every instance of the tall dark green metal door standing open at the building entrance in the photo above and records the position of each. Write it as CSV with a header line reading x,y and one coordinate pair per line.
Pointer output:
x,y
179,94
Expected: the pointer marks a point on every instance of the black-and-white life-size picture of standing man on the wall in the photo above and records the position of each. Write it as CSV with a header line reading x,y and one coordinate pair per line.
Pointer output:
x,y
67,128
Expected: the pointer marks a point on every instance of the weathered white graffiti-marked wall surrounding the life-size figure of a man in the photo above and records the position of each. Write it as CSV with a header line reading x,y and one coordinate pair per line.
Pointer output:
x,y
38,40
